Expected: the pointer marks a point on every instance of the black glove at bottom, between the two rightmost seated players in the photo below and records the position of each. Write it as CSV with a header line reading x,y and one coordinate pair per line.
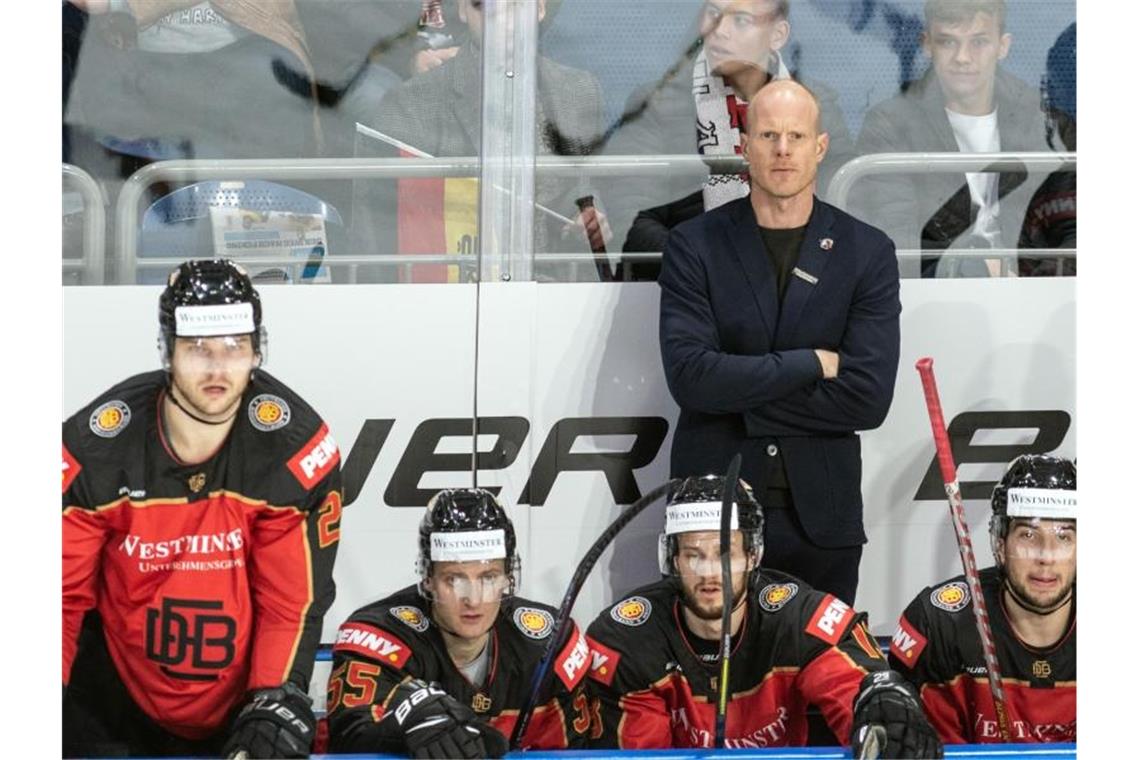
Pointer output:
x,y
887,710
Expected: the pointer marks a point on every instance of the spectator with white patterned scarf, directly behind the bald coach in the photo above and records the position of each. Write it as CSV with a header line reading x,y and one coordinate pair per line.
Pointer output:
x,y
699,105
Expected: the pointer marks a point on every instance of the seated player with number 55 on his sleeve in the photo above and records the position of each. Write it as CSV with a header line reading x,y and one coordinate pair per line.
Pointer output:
x,y
442,669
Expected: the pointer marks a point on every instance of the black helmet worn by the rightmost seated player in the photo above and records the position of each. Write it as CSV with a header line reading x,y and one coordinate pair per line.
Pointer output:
x,y
1035,486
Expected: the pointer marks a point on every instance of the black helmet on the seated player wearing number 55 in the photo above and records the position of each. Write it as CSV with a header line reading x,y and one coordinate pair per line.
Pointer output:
x,y
466,525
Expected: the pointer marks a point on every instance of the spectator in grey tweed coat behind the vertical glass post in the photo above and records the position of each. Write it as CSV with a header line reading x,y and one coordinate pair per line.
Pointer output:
x,y
439,113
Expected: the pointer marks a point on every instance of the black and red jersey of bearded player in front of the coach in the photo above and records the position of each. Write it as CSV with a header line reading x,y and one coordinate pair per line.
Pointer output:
x,y
796,647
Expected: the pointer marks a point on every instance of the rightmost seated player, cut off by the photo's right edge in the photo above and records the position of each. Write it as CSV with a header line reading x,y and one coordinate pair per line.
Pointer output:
x,y
1031,598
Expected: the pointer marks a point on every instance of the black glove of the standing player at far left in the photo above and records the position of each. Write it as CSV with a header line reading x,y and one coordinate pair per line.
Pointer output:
x,y
276,723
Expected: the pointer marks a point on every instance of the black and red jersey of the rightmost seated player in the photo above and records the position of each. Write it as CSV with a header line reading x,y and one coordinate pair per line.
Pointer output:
x,y
938,648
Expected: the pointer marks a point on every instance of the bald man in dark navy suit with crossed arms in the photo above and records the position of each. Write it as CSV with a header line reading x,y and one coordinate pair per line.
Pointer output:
x,y
779,331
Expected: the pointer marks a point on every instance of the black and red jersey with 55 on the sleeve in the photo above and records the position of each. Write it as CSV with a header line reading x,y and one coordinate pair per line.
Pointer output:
x,y
388,642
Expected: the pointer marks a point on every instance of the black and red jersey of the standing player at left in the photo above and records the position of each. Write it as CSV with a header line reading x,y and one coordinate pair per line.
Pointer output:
x,y
209,579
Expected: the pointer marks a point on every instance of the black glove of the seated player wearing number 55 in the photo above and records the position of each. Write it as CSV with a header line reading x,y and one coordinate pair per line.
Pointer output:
x,y
436,725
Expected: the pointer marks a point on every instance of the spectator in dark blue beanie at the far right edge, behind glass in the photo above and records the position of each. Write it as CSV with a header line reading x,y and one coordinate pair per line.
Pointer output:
x,y
1052,219
